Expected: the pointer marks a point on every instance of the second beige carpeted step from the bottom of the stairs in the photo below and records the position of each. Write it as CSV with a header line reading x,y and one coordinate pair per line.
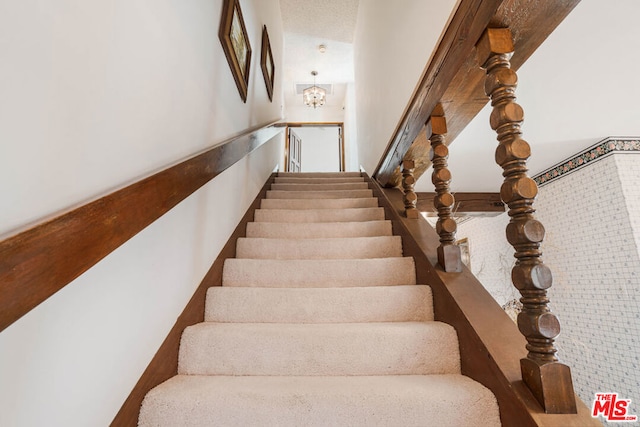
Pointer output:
x,y
384,348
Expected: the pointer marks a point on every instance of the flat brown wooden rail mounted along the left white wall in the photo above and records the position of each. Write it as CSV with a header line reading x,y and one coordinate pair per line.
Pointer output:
x,y
37,262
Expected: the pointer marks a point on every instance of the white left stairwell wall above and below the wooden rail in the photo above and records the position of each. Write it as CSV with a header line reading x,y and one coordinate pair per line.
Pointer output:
x,y
95,95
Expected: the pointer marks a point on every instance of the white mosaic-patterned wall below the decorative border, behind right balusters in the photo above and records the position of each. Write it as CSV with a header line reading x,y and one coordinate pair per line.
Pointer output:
x,y
590,216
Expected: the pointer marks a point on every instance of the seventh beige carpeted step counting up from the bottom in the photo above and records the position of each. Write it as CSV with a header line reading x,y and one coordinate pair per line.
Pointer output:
x,y
319,215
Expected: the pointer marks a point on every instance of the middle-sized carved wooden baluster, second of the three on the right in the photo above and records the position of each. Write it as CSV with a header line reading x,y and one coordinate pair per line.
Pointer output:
x,y
449,256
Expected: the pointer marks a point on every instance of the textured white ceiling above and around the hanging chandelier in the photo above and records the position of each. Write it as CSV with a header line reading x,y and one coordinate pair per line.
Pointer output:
x,y
307,25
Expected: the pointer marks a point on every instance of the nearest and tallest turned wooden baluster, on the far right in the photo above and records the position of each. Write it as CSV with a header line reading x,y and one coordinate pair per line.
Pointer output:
x,y
548,379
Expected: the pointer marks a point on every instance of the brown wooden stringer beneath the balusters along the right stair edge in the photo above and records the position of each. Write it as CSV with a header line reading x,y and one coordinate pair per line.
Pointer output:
x,y
490,343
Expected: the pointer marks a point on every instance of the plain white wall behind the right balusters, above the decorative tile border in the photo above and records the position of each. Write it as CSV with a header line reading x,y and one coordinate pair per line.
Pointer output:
x,y
579,87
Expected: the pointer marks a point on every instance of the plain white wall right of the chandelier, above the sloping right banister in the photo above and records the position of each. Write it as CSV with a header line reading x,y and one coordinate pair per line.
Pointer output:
x,y
393,43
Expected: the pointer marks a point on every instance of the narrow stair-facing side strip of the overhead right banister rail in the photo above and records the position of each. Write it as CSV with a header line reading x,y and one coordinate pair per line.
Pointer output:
x,y
457,44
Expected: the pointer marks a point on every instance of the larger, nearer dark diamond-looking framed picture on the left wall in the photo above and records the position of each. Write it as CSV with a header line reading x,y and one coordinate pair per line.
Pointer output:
x,y
235,43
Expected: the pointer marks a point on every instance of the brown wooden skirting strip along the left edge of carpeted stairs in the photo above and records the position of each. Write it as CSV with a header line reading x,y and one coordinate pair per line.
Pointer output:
x,y
164,364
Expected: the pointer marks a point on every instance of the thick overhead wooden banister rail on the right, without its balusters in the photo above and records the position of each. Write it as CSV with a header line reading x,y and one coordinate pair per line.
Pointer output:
x,y
453,77
